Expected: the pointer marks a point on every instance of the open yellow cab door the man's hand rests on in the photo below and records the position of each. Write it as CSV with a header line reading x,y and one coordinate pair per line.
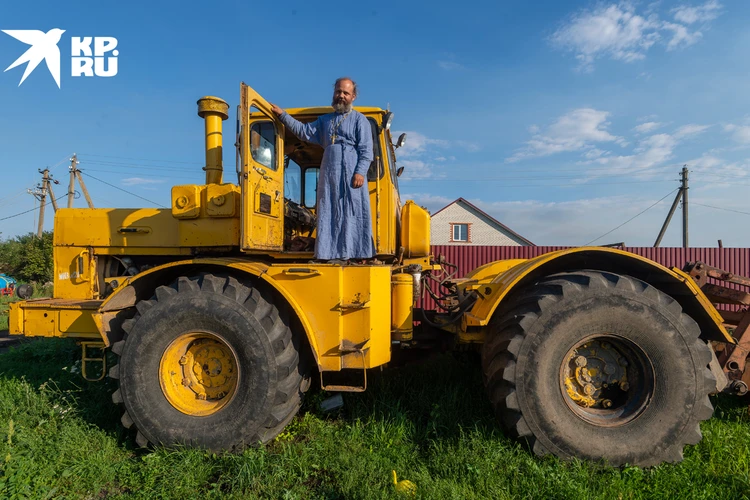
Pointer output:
x,y
262,179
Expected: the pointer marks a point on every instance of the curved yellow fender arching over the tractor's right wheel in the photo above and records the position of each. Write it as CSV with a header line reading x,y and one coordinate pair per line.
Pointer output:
x,y
497,281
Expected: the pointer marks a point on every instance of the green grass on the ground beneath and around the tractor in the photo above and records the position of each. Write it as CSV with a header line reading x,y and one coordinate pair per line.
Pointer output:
x,y
60,438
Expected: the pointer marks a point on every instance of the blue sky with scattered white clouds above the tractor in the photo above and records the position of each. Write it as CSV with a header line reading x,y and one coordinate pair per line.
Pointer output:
x,y
569,122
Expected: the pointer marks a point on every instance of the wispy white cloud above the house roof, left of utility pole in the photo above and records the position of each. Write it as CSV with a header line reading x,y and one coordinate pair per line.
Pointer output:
x,y
574,131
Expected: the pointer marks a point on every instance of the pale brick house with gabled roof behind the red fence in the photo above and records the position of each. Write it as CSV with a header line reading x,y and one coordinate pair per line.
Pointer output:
x,y
461,223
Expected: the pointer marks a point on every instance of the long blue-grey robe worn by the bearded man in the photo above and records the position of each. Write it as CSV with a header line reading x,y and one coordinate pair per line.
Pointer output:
x,y
344,228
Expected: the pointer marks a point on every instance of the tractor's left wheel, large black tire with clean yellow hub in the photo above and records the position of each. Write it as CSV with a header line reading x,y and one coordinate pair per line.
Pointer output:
x,y
208,362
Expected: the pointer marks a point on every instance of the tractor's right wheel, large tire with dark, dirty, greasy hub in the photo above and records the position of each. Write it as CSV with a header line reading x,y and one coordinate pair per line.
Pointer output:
x,y
554,370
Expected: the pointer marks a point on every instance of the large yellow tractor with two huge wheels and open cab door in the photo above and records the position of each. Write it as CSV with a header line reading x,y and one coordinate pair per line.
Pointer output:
x,y
220,318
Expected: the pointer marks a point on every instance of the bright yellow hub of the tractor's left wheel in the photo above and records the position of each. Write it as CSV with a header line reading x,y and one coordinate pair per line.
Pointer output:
x,y
198,373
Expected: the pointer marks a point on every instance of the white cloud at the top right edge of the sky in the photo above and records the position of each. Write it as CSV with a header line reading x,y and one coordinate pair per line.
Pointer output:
x,y
617,31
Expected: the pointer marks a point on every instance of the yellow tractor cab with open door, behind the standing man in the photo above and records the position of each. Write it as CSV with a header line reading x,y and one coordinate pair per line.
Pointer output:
x,y
278,175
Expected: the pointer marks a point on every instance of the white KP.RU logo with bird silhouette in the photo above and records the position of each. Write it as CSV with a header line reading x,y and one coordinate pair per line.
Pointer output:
x,y
101,61
